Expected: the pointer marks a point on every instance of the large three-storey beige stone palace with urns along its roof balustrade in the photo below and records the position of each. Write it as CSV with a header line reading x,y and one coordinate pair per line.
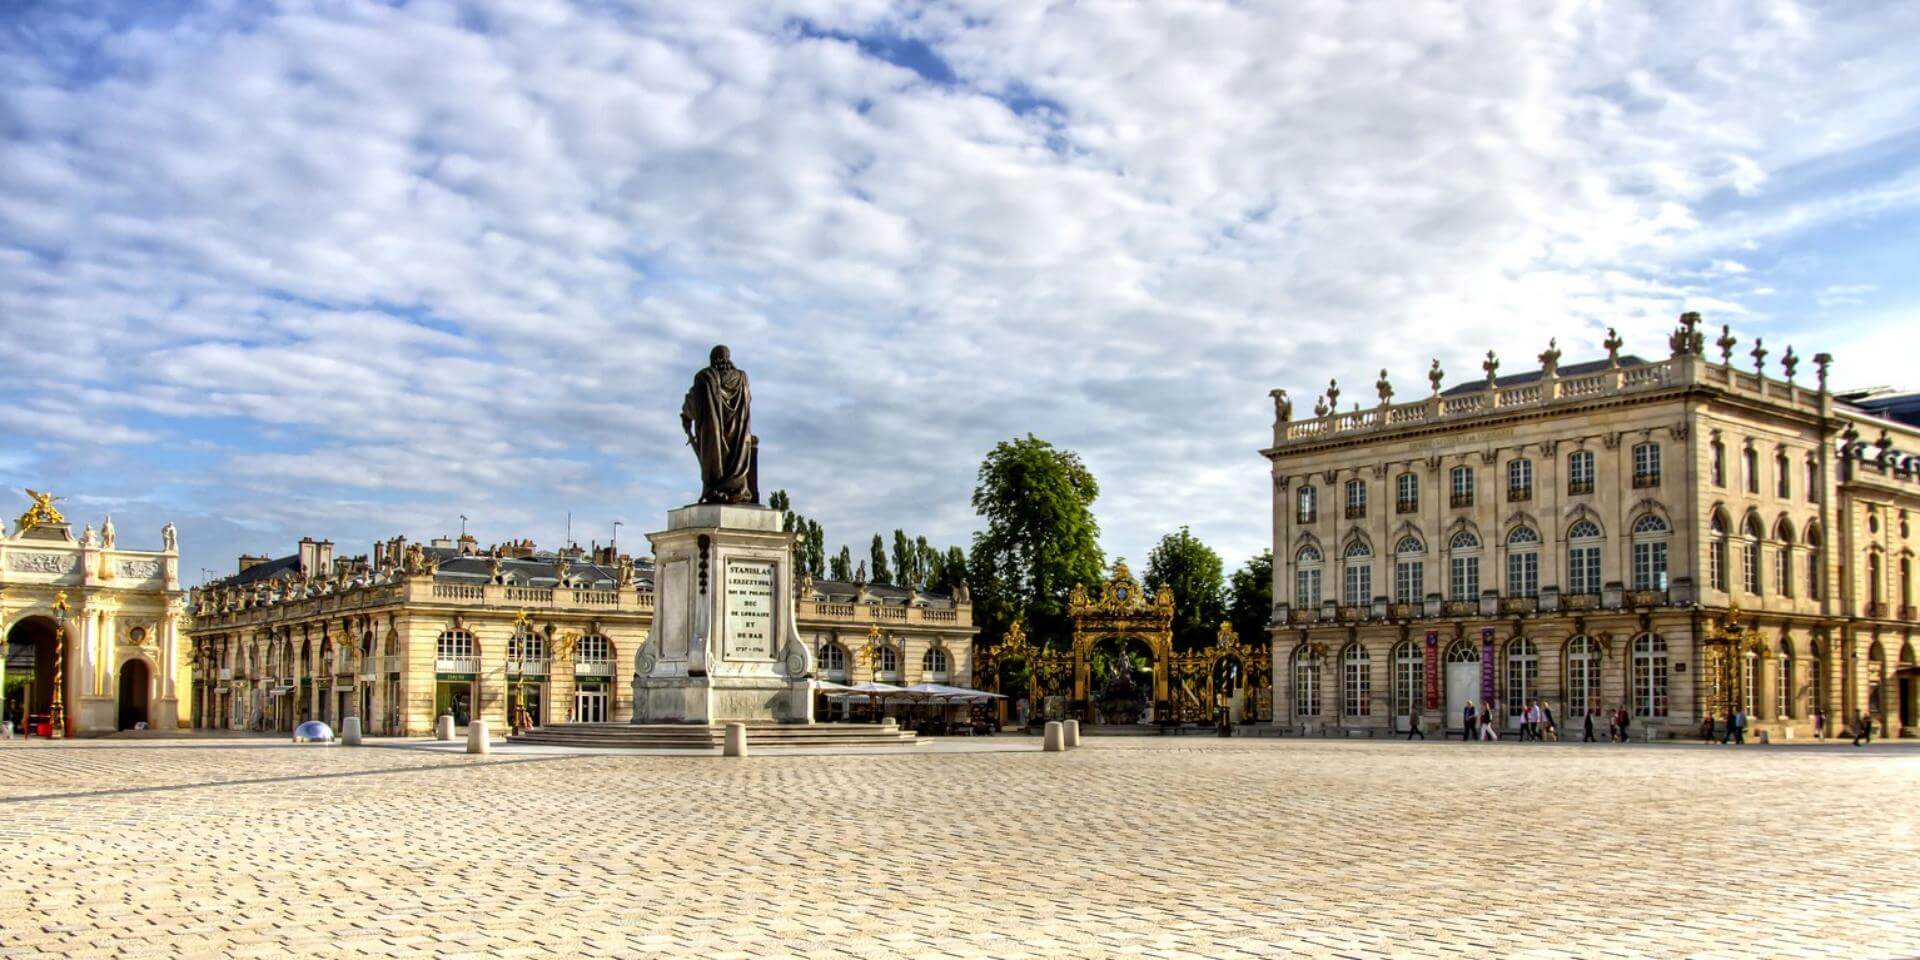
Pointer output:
x,y
1677,537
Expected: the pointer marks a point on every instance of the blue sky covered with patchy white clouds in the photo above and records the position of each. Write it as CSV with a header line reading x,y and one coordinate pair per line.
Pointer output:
x,y
354,270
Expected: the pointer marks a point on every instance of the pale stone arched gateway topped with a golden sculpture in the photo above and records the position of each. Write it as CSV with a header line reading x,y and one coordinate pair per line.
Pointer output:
x,y
91,629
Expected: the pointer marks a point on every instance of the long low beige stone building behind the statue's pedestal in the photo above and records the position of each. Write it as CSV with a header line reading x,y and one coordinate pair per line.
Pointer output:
x,y
416,631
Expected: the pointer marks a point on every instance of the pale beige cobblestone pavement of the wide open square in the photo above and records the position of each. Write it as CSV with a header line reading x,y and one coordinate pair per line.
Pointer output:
x,y
1126,848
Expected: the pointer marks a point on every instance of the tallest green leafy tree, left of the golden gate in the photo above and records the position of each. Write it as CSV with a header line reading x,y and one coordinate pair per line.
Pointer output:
x,y
1042,539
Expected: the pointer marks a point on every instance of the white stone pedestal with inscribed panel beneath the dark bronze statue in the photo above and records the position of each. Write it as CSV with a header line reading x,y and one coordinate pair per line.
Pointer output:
x,y
725,642
